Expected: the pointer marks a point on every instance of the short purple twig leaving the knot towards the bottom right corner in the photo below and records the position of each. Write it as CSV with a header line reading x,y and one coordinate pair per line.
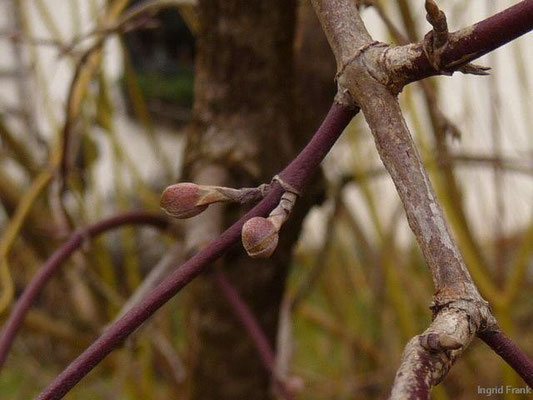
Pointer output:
x,y
510,352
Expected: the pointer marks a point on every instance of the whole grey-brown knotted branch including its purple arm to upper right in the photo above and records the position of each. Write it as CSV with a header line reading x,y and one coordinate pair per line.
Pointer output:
x,y
370,75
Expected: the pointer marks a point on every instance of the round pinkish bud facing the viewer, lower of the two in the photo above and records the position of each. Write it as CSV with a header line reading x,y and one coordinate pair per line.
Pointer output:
x,y
259,237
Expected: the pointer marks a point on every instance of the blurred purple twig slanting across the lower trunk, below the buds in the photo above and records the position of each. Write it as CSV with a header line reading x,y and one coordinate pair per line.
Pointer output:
x,y
257,334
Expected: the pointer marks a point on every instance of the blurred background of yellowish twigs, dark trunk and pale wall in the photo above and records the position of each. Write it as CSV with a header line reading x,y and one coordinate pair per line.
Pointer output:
x,y
149,94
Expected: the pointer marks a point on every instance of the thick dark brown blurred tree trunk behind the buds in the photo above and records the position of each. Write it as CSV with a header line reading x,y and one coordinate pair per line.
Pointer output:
x,y
241,135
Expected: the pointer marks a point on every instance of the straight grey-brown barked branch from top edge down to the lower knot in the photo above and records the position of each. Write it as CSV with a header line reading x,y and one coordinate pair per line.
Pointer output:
x,y
397,149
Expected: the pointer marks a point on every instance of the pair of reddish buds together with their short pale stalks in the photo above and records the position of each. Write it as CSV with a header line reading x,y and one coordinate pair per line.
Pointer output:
x,y
260,235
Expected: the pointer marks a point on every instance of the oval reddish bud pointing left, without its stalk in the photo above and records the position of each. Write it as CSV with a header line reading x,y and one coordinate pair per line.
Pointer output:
x,y
180,200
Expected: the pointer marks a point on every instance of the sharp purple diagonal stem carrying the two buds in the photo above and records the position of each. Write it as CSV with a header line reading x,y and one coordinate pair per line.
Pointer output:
x,y
297,174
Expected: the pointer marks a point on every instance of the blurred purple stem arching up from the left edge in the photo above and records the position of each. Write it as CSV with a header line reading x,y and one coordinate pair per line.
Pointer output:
x,y
54,262
